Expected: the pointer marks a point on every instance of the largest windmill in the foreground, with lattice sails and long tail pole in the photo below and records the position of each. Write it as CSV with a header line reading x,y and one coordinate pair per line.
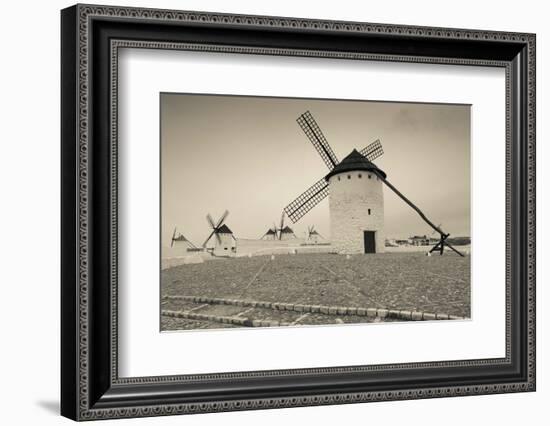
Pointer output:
x,y
356,199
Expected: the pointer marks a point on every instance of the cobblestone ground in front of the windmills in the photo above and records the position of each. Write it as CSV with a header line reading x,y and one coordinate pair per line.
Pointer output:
x,y
393,281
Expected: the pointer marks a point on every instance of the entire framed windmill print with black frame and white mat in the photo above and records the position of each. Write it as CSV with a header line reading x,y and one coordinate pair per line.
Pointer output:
x,y
263,212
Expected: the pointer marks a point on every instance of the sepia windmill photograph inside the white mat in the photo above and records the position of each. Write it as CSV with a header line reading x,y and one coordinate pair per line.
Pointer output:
x,y
279,212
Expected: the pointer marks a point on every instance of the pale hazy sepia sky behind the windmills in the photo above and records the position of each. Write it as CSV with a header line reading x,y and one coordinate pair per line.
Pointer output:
x,y
249,156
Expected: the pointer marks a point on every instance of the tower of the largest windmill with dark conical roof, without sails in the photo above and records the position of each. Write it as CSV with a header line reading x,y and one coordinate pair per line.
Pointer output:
x,y
356,204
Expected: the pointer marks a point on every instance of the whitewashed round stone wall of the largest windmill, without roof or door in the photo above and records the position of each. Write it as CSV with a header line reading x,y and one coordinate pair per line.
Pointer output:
x,y
349,201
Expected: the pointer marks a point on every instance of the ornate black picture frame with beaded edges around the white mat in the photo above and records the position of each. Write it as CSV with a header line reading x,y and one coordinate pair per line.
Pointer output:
x,y
90,38
